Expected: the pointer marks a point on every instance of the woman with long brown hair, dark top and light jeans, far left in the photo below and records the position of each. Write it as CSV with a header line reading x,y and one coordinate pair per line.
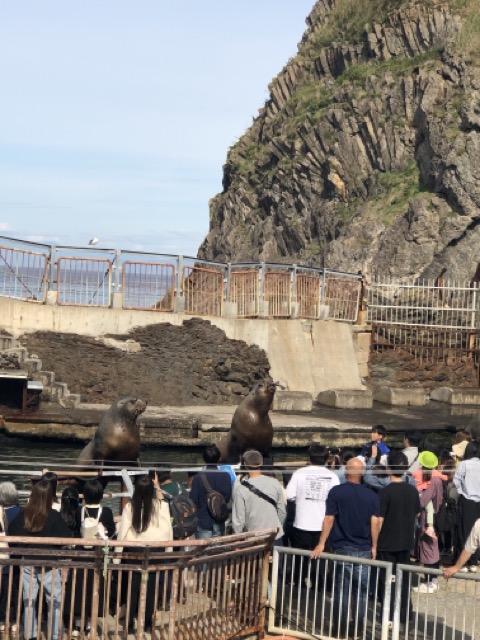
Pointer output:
x,y
39,520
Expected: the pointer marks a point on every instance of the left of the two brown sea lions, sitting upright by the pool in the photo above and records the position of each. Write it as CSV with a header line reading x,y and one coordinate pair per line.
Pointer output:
x,y
117,438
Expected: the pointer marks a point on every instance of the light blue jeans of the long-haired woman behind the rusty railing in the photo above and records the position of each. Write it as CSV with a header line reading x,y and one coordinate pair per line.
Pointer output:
x,y
52,588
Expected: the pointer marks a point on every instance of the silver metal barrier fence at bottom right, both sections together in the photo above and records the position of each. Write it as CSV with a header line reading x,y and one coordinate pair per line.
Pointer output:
x,y
339,597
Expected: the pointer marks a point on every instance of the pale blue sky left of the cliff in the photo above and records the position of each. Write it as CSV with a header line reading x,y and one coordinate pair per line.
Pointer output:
x,y
116,116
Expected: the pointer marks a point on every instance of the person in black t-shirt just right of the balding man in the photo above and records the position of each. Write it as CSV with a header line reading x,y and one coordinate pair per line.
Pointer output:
x,y
399,509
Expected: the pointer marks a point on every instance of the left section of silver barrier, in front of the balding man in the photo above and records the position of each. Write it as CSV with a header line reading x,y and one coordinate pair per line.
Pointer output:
x,y
329,597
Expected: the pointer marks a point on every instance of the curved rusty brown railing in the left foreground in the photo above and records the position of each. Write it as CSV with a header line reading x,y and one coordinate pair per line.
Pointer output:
x,y
208,589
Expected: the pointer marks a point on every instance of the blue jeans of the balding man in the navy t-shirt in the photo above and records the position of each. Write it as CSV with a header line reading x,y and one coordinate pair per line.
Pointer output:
x,y
351,589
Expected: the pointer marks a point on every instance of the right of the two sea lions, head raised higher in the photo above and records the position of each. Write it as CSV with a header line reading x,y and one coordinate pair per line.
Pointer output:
x,y
251,425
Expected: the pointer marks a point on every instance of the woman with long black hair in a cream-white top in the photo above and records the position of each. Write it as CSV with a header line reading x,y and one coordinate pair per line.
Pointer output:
x,y
146,518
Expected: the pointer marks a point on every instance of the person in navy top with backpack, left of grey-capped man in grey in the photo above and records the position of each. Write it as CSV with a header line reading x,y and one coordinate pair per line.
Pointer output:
x,y
218,480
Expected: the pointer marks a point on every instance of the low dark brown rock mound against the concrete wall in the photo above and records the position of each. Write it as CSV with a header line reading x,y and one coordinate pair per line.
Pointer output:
x,y
192,364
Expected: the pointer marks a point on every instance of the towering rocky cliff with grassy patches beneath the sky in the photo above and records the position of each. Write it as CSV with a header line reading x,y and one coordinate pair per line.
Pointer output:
x,y
366,154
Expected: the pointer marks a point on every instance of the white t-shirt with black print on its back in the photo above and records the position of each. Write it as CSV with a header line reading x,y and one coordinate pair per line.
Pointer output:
x,y
309,487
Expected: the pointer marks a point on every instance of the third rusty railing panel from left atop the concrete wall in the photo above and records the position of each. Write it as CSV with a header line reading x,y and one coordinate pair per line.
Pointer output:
x,y
148,285
